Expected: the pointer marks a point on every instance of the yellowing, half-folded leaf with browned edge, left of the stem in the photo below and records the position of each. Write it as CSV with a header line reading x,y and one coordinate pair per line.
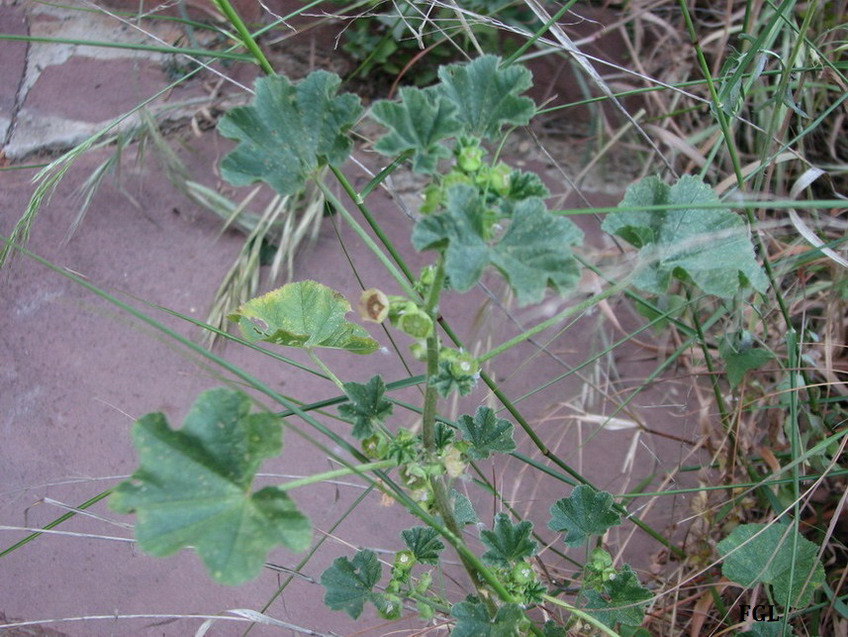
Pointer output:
x,y
303,314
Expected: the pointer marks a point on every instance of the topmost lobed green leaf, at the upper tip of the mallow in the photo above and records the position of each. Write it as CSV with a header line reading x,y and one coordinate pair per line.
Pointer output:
x,y
487,97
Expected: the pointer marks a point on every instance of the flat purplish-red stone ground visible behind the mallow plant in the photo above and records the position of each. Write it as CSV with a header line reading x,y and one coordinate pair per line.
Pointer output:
x,y
75,371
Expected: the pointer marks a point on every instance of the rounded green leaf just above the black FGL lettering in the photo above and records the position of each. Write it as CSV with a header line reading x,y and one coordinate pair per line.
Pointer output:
x,y
768,553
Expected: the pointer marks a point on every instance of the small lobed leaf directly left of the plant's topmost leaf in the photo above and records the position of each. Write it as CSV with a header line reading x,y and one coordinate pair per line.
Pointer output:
x,y
418,122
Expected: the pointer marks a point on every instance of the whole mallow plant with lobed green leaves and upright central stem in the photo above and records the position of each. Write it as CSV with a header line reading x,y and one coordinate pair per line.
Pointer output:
x,y
193,487
